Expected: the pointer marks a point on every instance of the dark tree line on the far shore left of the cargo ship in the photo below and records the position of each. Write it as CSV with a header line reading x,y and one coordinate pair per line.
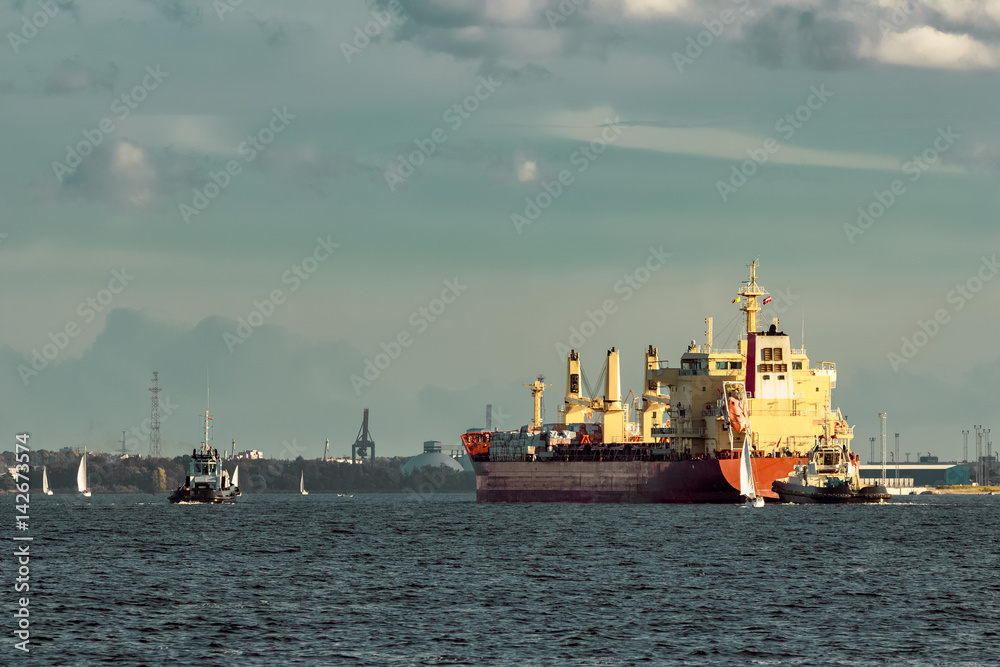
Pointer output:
x,y
109,473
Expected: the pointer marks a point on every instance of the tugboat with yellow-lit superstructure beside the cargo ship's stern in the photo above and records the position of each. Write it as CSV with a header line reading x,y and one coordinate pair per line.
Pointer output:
x,y
832,475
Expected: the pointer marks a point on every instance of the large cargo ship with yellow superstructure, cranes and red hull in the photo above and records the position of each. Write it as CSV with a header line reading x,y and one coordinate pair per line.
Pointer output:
x,y
680,440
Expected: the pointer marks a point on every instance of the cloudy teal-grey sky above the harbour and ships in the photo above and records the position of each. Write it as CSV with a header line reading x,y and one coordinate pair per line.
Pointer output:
x,y
318,207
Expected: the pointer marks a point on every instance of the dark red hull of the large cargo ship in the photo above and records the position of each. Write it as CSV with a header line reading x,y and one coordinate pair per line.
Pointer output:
x,y
693,481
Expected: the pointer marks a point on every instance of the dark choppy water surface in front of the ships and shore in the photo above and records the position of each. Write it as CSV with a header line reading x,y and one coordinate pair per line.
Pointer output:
x,y
391,579
